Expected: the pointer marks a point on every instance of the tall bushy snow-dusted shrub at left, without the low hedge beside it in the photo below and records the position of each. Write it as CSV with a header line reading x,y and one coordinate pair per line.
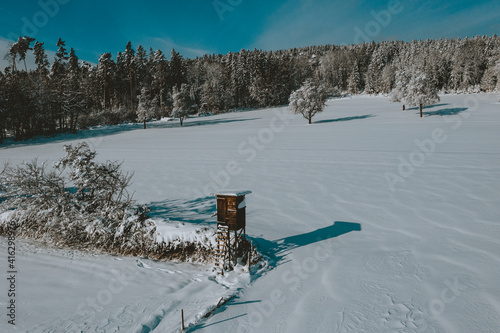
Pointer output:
x,y
77,202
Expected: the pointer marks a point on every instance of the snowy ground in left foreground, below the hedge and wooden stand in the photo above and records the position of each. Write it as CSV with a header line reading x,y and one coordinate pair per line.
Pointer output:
x,y
71,291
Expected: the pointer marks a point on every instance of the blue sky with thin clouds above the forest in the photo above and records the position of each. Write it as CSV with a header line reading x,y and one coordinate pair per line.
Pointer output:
x,y
195,27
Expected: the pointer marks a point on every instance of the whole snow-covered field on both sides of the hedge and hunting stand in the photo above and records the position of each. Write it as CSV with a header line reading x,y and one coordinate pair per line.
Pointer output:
x,y
375,220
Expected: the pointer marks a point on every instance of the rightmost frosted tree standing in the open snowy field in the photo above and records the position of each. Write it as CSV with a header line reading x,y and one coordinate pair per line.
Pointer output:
x,y
420,92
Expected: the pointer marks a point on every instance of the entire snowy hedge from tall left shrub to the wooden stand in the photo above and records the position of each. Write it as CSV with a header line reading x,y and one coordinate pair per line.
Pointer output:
x,y
84,204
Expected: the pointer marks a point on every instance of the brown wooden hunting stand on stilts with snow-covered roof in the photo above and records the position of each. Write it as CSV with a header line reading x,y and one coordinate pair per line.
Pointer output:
x,y
231,225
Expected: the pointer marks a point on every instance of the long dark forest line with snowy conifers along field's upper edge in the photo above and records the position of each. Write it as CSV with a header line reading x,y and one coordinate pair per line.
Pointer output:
x,y
139,85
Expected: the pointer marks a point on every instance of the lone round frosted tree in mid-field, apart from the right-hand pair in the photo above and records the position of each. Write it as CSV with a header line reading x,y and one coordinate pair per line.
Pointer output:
x,y
308,99
